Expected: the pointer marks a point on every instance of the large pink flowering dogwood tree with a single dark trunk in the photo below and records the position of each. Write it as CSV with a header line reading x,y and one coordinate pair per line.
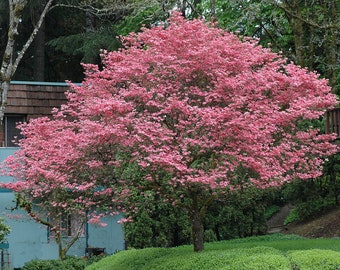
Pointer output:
x,y
198,110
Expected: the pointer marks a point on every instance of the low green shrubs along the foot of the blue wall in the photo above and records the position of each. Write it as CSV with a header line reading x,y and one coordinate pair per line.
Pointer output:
x,y
71,263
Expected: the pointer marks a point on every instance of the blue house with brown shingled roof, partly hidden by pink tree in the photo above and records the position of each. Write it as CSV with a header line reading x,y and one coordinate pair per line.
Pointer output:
x,y
28,239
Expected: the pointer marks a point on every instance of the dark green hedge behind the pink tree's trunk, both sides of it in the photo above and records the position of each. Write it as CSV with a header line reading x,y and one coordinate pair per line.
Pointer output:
x,y
233,215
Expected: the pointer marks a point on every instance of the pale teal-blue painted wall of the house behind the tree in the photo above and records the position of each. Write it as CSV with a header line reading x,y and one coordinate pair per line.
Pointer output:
x,y
29,240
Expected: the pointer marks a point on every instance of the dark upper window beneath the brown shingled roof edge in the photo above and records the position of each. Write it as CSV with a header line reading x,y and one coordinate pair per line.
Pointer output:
x,y
12,133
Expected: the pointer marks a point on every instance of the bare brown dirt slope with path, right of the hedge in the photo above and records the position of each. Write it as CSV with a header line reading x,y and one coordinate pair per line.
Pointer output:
x,y
326,225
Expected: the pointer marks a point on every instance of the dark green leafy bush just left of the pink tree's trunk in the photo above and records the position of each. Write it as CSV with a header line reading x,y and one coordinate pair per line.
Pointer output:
x,y
156,223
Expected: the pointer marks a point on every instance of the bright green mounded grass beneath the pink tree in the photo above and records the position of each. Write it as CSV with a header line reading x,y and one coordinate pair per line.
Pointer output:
x,y
260,253
